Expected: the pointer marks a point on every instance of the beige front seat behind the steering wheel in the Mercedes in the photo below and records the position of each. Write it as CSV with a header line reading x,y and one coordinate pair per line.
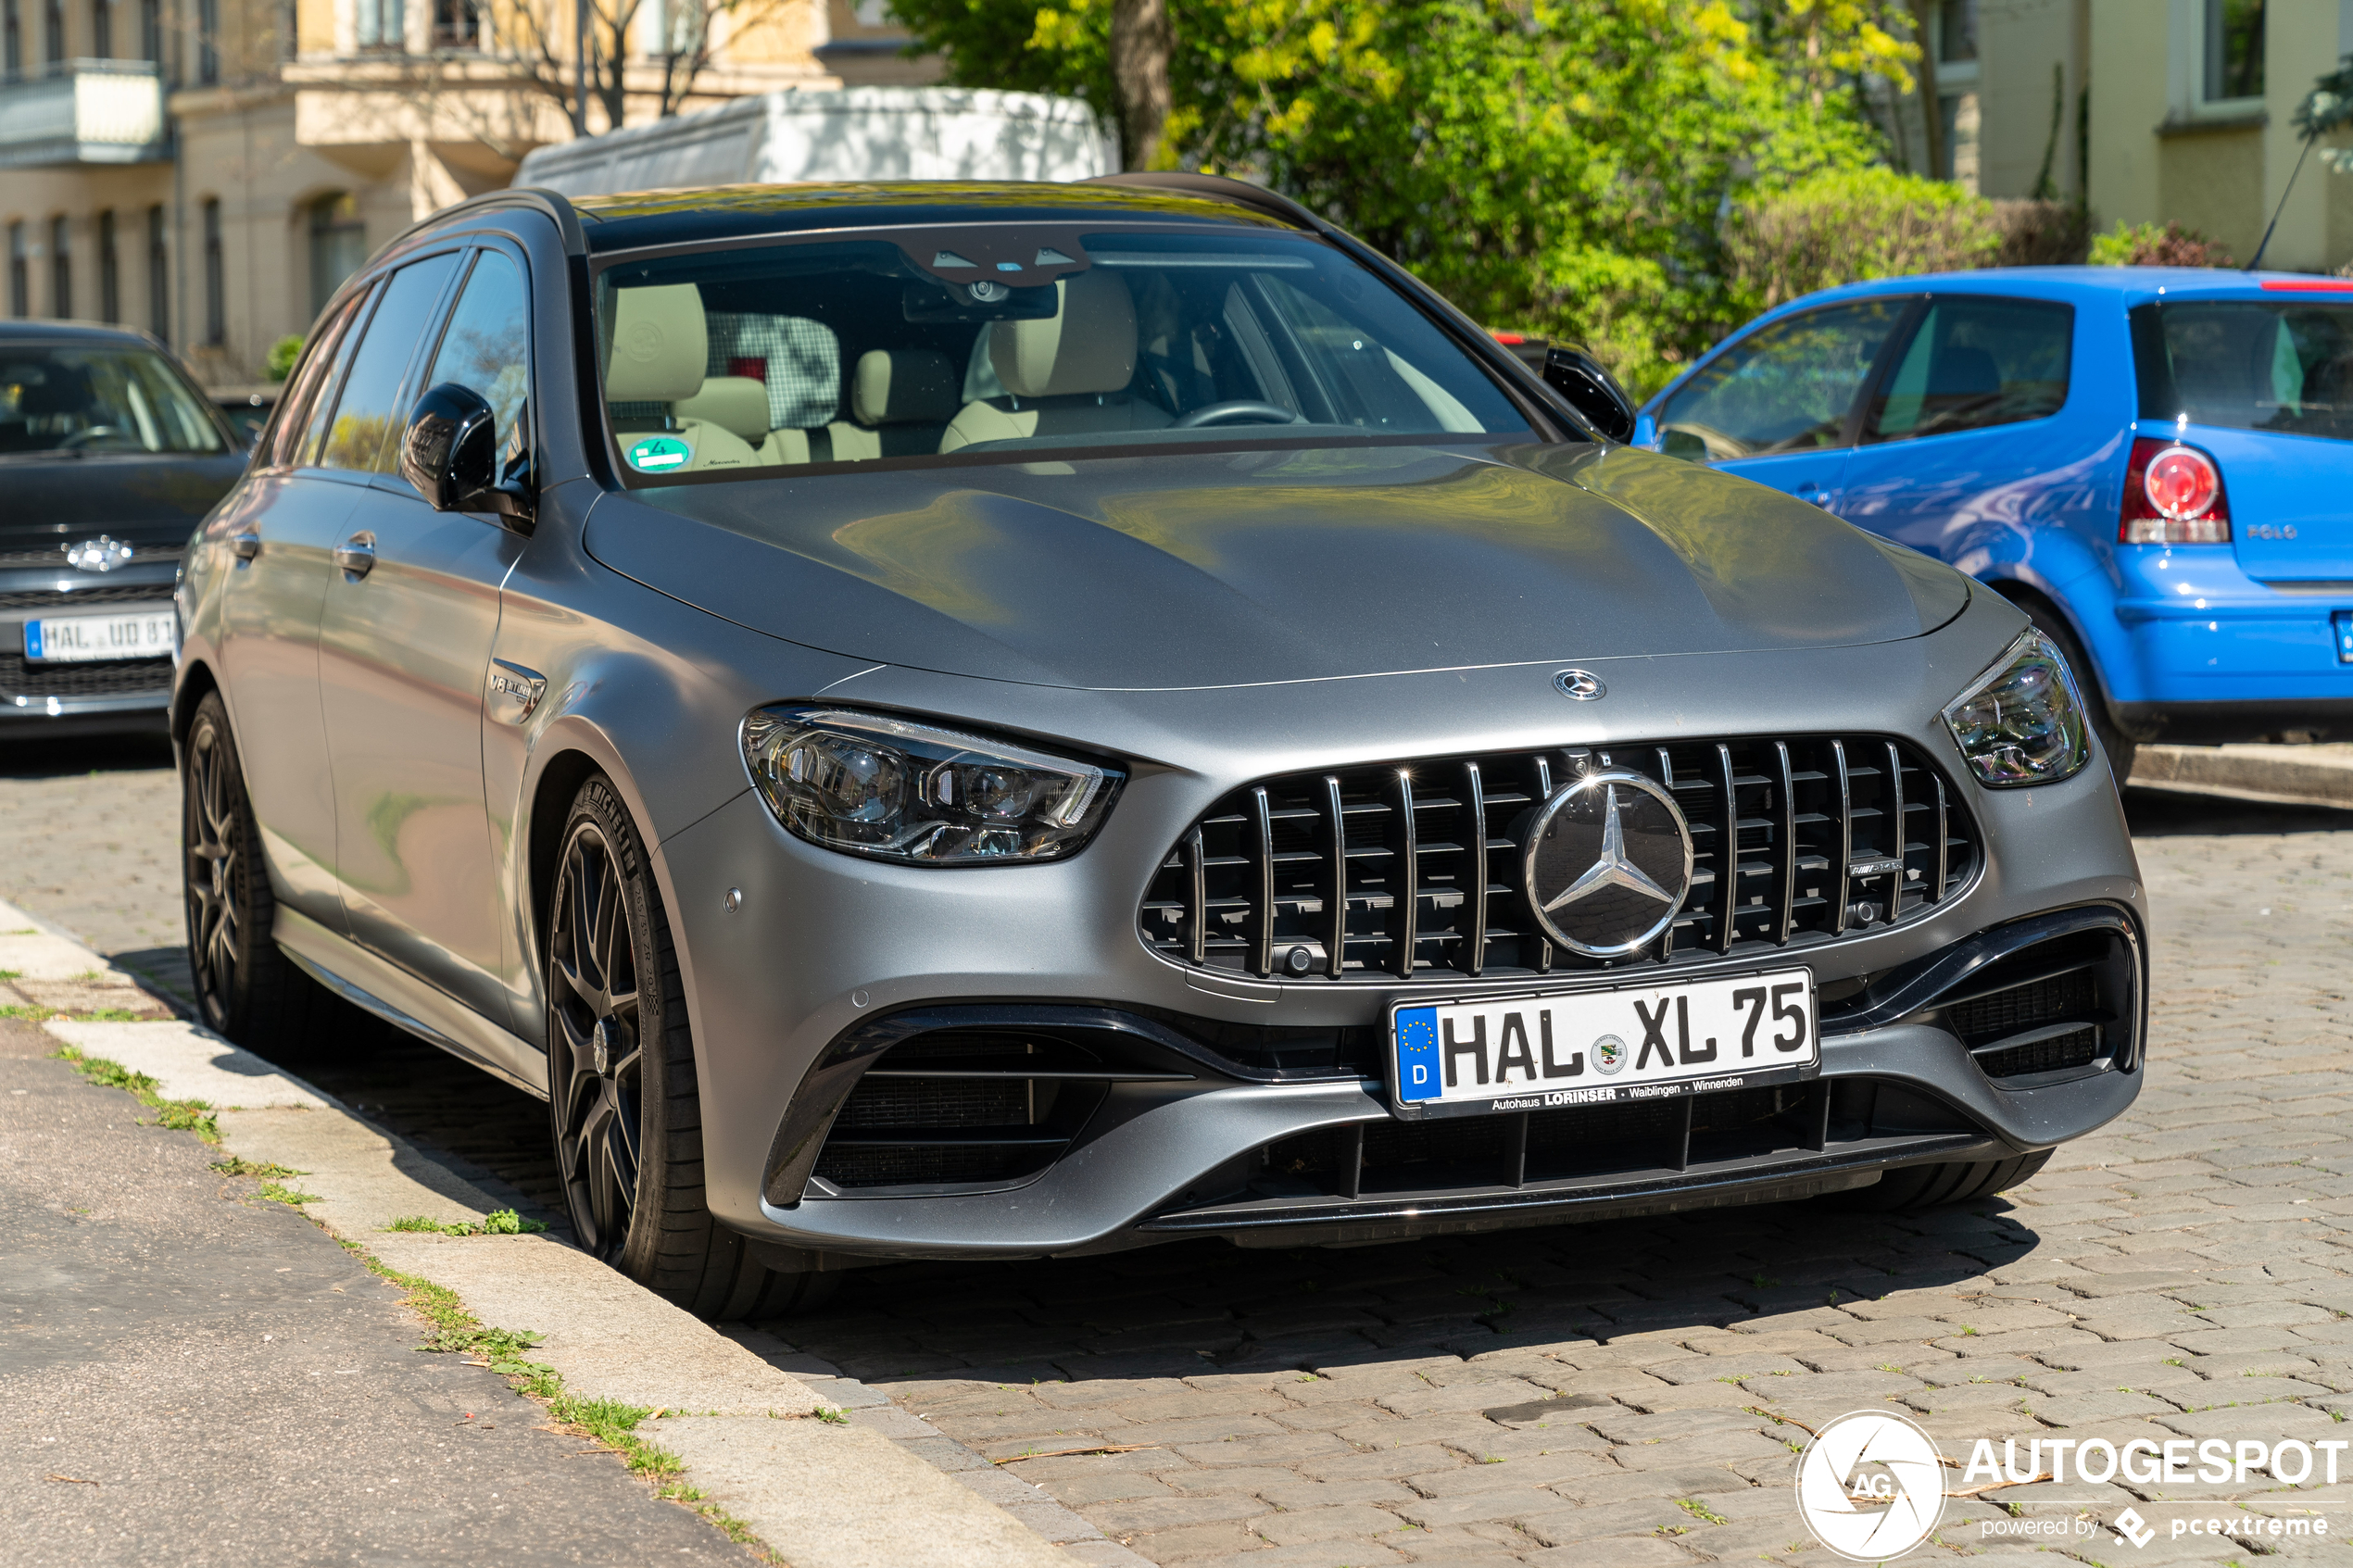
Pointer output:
x,y
1065,375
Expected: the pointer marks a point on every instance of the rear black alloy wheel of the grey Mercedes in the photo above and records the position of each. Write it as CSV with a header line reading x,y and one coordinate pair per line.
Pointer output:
x,y
246,989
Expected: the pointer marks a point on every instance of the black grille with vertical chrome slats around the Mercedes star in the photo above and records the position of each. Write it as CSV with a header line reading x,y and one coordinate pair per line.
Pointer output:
x,y
1413,871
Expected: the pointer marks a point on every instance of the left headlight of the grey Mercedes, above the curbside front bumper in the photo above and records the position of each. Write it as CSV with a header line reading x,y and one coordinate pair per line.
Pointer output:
x,y
898,791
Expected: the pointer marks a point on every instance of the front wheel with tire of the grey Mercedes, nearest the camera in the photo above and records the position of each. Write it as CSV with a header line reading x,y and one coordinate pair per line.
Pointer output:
x,y
622,1092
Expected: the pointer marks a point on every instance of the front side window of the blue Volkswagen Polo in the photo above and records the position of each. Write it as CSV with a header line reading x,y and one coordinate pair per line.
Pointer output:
x,y
1785,389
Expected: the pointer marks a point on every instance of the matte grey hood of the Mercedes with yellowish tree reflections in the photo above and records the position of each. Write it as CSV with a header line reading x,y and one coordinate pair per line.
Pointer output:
x,y
1241,568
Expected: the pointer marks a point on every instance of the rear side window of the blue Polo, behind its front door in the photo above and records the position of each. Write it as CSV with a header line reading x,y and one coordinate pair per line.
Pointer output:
x,y
1975,363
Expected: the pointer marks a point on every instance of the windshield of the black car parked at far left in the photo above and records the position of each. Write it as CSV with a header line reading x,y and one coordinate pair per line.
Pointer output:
x,y
98,401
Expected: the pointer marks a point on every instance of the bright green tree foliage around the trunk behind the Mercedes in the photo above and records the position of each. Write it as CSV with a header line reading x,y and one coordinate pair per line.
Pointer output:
x,y
1557,168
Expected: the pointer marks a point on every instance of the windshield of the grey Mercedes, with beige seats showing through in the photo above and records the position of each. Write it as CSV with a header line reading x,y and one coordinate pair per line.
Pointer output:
x,y
978,340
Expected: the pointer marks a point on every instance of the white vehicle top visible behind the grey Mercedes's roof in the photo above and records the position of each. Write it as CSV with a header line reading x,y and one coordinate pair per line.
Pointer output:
x,y
851,135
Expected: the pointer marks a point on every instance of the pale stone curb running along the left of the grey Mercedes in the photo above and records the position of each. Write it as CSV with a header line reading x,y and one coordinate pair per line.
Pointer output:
x,y
876,1489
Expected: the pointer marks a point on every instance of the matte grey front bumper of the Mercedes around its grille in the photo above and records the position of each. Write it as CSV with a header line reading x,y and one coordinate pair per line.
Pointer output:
x,y
820,949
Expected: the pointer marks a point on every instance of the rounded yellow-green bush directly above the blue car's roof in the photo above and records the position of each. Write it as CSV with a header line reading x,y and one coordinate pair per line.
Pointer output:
x,y
1853,225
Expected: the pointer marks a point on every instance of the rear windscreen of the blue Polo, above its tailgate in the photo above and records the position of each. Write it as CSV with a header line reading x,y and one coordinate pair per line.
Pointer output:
x,y
2248,366
